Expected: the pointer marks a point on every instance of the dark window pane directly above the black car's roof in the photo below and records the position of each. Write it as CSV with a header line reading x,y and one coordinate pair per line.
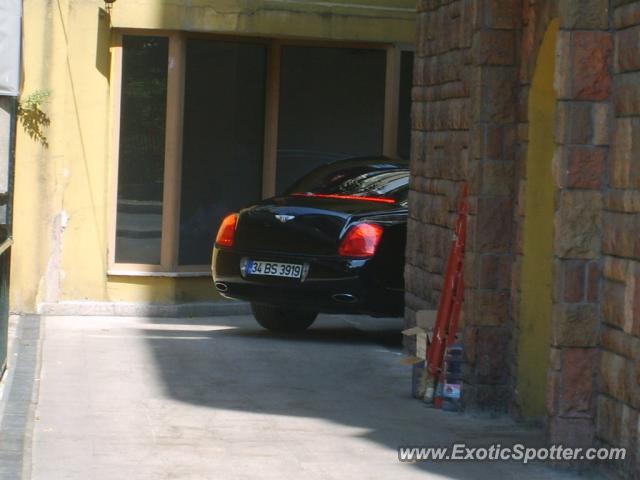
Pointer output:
x,y
331,107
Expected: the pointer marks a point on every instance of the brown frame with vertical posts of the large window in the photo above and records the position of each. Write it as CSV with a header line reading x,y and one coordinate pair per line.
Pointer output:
x,y
176,63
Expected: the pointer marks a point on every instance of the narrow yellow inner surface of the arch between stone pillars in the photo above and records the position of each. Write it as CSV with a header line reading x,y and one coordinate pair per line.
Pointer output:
x,y
535,313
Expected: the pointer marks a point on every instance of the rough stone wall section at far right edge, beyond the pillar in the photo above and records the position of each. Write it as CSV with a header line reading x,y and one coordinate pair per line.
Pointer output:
x,y
618,404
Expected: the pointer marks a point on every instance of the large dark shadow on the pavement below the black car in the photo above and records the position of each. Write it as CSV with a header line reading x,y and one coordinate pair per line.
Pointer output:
x,y
344,370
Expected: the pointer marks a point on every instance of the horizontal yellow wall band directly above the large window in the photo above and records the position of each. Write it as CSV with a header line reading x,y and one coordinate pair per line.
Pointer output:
x,y
366,20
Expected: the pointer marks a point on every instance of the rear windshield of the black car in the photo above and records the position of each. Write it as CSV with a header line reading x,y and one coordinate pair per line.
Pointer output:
x,y
378,180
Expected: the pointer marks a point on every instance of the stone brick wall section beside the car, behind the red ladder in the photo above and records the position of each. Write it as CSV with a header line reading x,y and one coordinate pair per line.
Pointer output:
x,y
439,150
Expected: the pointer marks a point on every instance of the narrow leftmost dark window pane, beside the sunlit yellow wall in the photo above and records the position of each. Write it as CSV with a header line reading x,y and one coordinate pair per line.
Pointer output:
x,y
141,156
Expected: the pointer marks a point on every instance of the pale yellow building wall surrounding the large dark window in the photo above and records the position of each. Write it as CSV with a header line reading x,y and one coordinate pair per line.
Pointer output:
x,y
61,192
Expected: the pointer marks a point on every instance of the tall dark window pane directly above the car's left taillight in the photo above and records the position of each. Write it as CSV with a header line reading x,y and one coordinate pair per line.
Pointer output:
x,y
223,139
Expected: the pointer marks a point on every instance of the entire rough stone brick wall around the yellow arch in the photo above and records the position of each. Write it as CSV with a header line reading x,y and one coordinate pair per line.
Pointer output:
x,y
472,74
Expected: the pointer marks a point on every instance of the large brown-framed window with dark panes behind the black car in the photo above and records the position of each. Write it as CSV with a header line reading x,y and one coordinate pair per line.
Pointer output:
x,y
208,125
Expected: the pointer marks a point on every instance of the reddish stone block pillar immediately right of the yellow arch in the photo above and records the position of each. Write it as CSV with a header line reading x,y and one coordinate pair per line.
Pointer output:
x,y
583,85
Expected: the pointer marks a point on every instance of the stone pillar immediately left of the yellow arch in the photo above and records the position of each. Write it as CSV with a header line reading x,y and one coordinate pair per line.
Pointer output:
x,y
487,315
